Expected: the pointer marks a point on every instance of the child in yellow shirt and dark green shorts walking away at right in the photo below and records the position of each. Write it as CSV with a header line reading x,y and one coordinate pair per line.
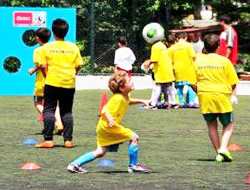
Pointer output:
x,y
214,82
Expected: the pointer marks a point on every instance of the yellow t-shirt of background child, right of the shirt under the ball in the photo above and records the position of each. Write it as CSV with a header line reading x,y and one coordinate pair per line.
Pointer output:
x,y
182,54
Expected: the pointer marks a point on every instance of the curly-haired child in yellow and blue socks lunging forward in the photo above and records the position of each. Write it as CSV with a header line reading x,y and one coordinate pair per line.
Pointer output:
x,y
109,131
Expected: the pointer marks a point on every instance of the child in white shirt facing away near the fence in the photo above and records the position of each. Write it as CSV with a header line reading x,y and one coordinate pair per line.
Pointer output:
x,y
124,57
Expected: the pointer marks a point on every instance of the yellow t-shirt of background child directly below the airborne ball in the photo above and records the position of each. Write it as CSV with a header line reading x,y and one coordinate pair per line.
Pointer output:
x,y
163,69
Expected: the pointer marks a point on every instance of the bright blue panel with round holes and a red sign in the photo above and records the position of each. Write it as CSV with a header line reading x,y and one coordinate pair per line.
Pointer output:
x,y
17,43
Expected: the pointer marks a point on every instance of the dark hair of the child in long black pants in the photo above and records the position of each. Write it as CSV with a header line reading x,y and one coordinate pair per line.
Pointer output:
x,y
60,28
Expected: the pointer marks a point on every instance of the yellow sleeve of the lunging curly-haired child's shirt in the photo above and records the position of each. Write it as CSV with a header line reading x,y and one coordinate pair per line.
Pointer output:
x,y
112,105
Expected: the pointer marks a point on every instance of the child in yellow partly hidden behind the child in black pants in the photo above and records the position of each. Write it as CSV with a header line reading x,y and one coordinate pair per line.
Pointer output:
x,y
42,37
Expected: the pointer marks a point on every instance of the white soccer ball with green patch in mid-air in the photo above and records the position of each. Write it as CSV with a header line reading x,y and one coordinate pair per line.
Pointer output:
x,y
153,32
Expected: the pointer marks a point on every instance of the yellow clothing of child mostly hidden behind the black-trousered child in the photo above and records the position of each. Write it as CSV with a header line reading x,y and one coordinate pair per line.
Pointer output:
x,y
40,79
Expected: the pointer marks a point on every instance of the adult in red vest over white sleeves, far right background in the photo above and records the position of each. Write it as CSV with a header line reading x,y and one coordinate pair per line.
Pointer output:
x,y
229,45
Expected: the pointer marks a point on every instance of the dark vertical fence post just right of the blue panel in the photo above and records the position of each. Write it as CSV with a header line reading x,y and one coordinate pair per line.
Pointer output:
x,y
92,34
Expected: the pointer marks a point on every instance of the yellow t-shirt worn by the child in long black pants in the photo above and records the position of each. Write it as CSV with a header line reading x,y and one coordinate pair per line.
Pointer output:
x,y
62,58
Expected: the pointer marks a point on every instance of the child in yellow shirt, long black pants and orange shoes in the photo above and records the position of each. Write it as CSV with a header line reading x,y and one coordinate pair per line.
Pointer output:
x,y
62,59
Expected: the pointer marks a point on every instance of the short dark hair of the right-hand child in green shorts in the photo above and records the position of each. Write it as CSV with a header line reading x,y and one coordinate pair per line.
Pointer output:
x,y
211,42
